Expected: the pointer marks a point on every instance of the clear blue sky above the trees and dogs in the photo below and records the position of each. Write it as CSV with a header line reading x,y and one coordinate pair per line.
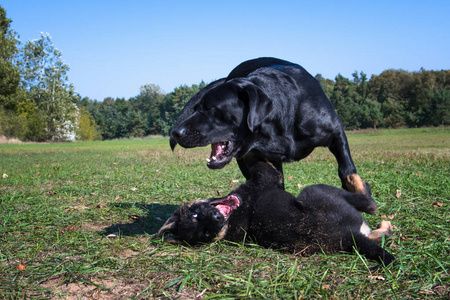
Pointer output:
x,y
114,47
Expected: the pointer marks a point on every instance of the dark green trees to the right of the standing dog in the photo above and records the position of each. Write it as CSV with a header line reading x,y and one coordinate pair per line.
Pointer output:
x,y
395,98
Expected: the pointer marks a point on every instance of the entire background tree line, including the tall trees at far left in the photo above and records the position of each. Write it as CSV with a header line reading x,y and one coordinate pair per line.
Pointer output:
x,y
38,102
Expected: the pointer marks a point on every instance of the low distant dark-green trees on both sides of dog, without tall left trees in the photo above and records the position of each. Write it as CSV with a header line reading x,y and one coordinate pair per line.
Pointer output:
x,y
393,99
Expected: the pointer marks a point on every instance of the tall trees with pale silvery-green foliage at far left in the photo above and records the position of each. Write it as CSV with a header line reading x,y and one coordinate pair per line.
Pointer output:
x,y
37,102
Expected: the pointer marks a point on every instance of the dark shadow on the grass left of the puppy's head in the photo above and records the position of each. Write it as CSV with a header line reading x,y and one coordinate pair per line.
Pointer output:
x,y
148,223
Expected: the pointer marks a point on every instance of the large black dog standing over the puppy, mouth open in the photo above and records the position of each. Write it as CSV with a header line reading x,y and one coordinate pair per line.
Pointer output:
x,y
266,108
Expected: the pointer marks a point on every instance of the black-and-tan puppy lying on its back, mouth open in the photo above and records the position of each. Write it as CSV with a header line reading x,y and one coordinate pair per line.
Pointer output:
x,y
322,217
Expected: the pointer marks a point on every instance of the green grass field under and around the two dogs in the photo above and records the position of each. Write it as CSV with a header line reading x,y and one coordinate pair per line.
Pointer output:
x,y
77,220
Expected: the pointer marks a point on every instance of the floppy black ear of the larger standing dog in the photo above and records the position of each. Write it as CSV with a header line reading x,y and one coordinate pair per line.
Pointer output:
x,y
259,107
